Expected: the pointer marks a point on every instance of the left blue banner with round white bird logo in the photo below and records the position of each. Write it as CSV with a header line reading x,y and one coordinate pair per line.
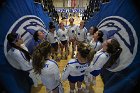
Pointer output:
x,y
18,16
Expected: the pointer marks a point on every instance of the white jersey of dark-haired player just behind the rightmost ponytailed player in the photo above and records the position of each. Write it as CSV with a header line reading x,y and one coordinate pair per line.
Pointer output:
x,y
95,45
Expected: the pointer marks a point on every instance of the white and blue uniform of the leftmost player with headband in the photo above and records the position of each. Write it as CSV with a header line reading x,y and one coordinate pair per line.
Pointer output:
x,y
18,60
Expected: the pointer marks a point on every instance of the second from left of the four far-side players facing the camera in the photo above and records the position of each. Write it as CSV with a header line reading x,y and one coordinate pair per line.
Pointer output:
x,y
63,37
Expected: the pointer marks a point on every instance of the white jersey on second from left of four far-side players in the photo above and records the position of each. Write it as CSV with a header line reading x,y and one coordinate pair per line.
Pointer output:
x,y
63,35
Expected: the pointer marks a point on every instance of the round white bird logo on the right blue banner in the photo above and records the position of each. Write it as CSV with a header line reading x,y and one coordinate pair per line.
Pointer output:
x,y
123,31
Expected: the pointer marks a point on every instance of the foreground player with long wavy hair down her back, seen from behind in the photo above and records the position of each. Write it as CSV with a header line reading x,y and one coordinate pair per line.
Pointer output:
x,y
48,69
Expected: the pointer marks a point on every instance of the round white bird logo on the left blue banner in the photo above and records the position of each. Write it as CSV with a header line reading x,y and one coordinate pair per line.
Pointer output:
x,y
25,26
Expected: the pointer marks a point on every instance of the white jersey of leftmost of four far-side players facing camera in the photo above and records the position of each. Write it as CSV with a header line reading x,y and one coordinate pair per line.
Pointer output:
x,y
52,37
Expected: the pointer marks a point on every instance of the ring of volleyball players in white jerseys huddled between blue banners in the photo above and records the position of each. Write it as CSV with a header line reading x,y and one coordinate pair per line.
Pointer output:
x,y
40,59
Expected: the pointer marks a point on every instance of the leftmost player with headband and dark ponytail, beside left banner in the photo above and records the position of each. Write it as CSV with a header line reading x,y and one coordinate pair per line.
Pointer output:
x,y
19,57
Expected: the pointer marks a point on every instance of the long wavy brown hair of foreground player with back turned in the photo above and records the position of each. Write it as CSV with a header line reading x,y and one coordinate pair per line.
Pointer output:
x,y
39,56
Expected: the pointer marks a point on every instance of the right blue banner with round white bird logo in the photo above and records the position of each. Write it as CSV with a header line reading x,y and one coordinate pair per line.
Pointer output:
x,y
120,19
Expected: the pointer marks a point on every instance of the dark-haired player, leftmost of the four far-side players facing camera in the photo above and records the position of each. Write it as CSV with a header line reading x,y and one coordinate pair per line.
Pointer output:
x,y
53,39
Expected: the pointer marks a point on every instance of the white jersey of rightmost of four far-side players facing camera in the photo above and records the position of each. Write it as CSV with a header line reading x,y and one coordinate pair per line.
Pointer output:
x,y
81,34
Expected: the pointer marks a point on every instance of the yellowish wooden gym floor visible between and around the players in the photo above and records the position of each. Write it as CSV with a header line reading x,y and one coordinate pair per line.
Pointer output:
x,y
99,84
